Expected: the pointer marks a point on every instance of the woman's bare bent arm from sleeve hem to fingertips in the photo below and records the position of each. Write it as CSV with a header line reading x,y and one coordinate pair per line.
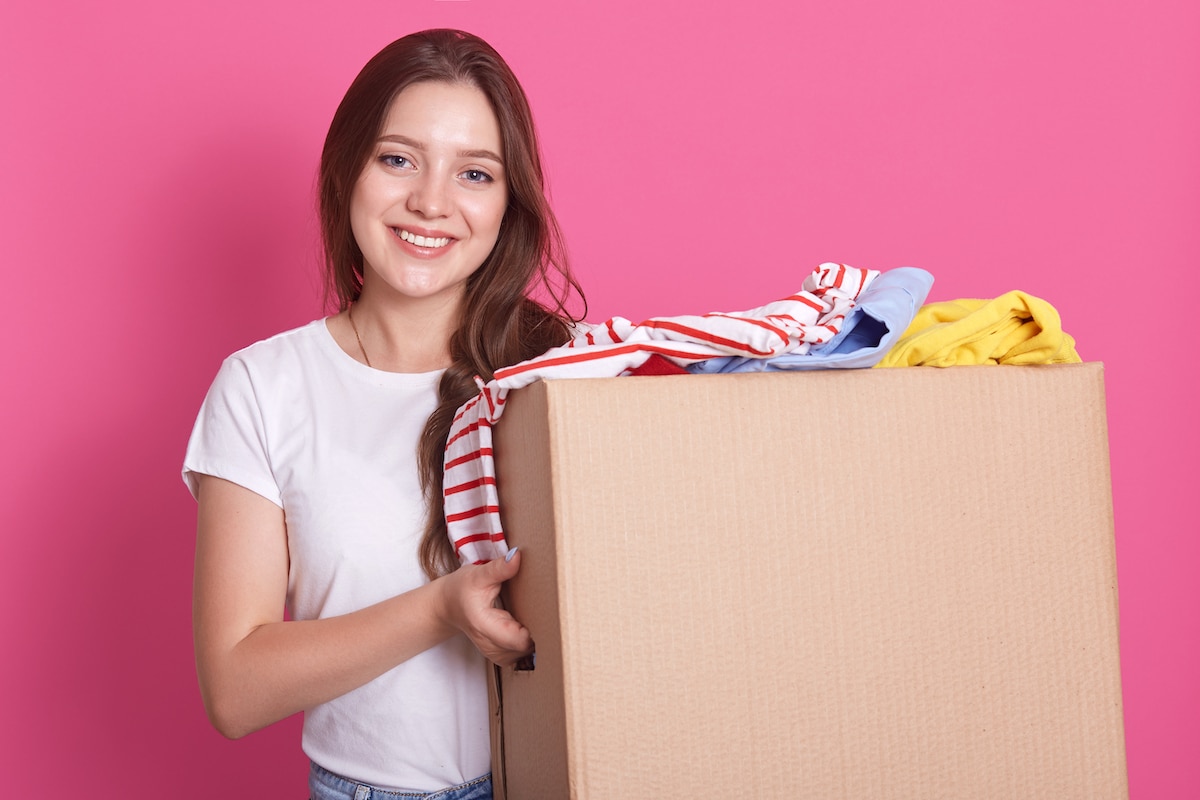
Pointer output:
x,y
255,669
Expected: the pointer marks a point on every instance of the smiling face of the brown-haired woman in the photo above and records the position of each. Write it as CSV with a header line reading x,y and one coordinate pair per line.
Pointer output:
x,y
427,210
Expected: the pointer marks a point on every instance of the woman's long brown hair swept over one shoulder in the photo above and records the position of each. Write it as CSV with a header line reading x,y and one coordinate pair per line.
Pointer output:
x,y
502,323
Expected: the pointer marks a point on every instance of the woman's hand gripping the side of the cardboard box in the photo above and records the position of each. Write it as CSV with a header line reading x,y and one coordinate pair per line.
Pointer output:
x,y
469,604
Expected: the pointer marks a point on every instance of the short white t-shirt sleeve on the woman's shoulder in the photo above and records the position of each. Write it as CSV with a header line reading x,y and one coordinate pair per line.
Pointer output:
x,y
230,440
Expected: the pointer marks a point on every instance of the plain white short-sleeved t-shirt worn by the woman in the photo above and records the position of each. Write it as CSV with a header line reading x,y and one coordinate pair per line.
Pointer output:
x,y
334,444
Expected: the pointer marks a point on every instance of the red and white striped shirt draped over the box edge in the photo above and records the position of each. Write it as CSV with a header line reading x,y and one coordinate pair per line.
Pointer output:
x,y
791,326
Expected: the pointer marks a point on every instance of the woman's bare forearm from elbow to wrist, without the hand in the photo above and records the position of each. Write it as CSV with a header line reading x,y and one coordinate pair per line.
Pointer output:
x,y
284,667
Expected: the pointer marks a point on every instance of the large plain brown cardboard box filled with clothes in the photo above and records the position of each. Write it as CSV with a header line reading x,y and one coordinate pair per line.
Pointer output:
x,y
890,584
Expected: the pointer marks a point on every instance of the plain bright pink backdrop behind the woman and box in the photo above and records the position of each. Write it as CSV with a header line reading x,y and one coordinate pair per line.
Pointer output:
x,y
158,164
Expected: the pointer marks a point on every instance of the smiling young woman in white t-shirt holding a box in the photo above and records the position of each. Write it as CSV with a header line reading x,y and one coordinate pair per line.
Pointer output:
x,y
317,456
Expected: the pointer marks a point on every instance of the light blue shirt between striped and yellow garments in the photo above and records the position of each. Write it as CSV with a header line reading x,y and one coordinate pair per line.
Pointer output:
x,y
885,311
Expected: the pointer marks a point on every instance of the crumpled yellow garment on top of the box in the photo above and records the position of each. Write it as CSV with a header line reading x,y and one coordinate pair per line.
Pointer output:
x,y
1015,328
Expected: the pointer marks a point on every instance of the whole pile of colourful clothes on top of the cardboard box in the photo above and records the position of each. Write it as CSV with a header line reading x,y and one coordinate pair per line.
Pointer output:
x,y
842,318
